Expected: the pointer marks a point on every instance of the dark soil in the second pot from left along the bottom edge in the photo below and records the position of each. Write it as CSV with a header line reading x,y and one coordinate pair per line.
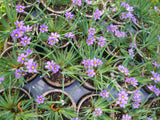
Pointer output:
x,y
56,96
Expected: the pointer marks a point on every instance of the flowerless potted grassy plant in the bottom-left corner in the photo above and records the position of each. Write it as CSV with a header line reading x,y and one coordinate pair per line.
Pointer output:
x,y
16,104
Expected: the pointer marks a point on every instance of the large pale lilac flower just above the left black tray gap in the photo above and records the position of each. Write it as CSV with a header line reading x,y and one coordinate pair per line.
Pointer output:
x,y
31,66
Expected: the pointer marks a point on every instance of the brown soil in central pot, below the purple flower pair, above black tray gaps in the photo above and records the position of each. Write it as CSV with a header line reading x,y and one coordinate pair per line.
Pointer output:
x,y
57,78
